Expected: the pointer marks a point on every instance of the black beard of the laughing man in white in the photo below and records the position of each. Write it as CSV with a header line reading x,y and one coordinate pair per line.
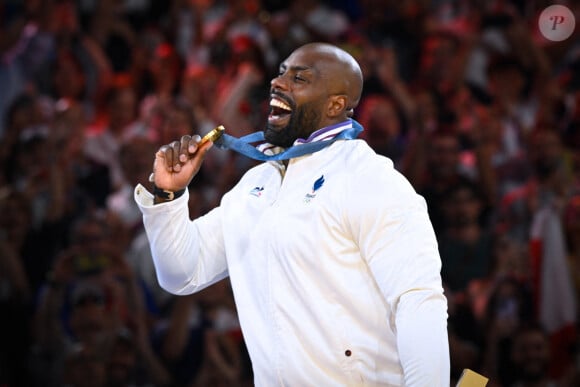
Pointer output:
x,y
303,122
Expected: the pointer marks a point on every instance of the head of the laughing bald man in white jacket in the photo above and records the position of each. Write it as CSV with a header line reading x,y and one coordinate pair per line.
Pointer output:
x,y
317,86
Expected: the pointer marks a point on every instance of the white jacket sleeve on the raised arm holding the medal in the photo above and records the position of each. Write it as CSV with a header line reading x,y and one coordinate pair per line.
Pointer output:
x,y
188,255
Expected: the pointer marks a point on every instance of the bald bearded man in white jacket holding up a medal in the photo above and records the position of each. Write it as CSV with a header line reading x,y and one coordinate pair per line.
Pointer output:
x,y
331,256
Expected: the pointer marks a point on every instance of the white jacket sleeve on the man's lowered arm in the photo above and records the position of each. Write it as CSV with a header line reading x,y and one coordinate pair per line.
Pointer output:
x,y
391,226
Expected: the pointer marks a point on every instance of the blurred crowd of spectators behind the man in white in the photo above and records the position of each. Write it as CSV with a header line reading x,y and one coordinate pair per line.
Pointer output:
x,y
473,105
